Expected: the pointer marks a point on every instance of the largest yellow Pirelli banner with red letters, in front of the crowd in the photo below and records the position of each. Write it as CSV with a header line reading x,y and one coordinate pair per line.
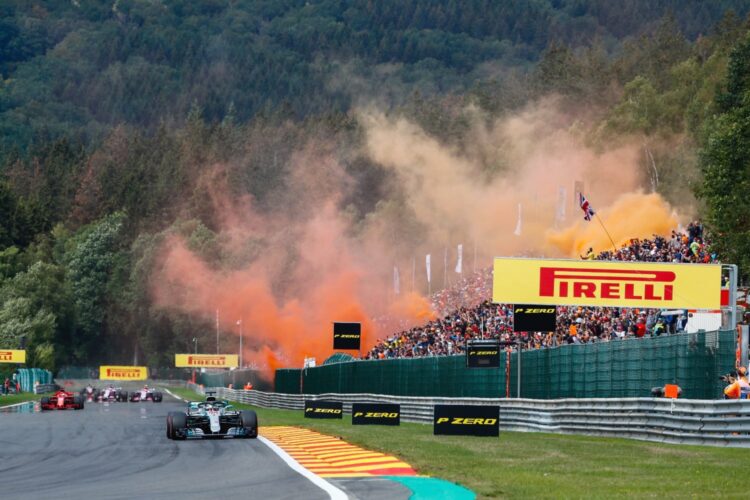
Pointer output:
x,y
595,283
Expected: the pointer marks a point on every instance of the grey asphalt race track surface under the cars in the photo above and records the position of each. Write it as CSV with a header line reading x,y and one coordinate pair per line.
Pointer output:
x,y
120,450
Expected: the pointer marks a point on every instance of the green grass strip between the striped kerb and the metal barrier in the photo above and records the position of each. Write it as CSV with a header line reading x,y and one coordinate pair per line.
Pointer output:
x,y
533,465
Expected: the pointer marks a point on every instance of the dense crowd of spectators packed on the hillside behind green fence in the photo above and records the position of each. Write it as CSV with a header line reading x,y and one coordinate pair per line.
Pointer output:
x,y
465,311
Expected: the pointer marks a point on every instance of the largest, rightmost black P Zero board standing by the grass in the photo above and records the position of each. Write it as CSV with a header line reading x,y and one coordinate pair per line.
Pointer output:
x,y
466,420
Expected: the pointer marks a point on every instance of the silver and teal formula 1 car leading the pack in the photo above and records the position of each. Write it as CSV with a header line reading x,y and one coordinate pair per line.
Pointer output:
x,y
211,418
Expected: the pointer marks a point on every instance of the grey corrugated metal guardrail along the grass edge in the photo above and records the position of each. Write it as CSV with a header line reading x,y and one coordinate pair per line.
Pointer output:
x,y
701,422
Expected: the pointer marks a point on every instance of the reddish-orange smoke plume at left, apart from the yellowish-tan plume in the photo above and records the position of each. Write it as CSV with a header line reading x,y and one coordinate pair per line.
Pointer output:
x,y
326,278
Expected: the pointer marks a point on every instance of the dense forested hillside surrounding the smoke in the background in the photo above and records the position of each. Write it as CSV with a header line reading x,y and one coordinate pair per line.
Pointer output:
x,y
112,112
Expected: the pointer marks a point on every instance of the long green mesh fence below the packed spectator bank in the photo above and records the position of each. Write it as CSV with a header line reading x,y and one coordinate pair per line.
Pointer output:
x,y
620,368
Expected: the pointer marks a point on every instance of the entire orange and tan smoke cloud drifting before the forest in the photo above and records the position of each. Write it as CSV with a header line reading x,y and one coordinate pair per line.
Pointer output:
x,y
317,265
